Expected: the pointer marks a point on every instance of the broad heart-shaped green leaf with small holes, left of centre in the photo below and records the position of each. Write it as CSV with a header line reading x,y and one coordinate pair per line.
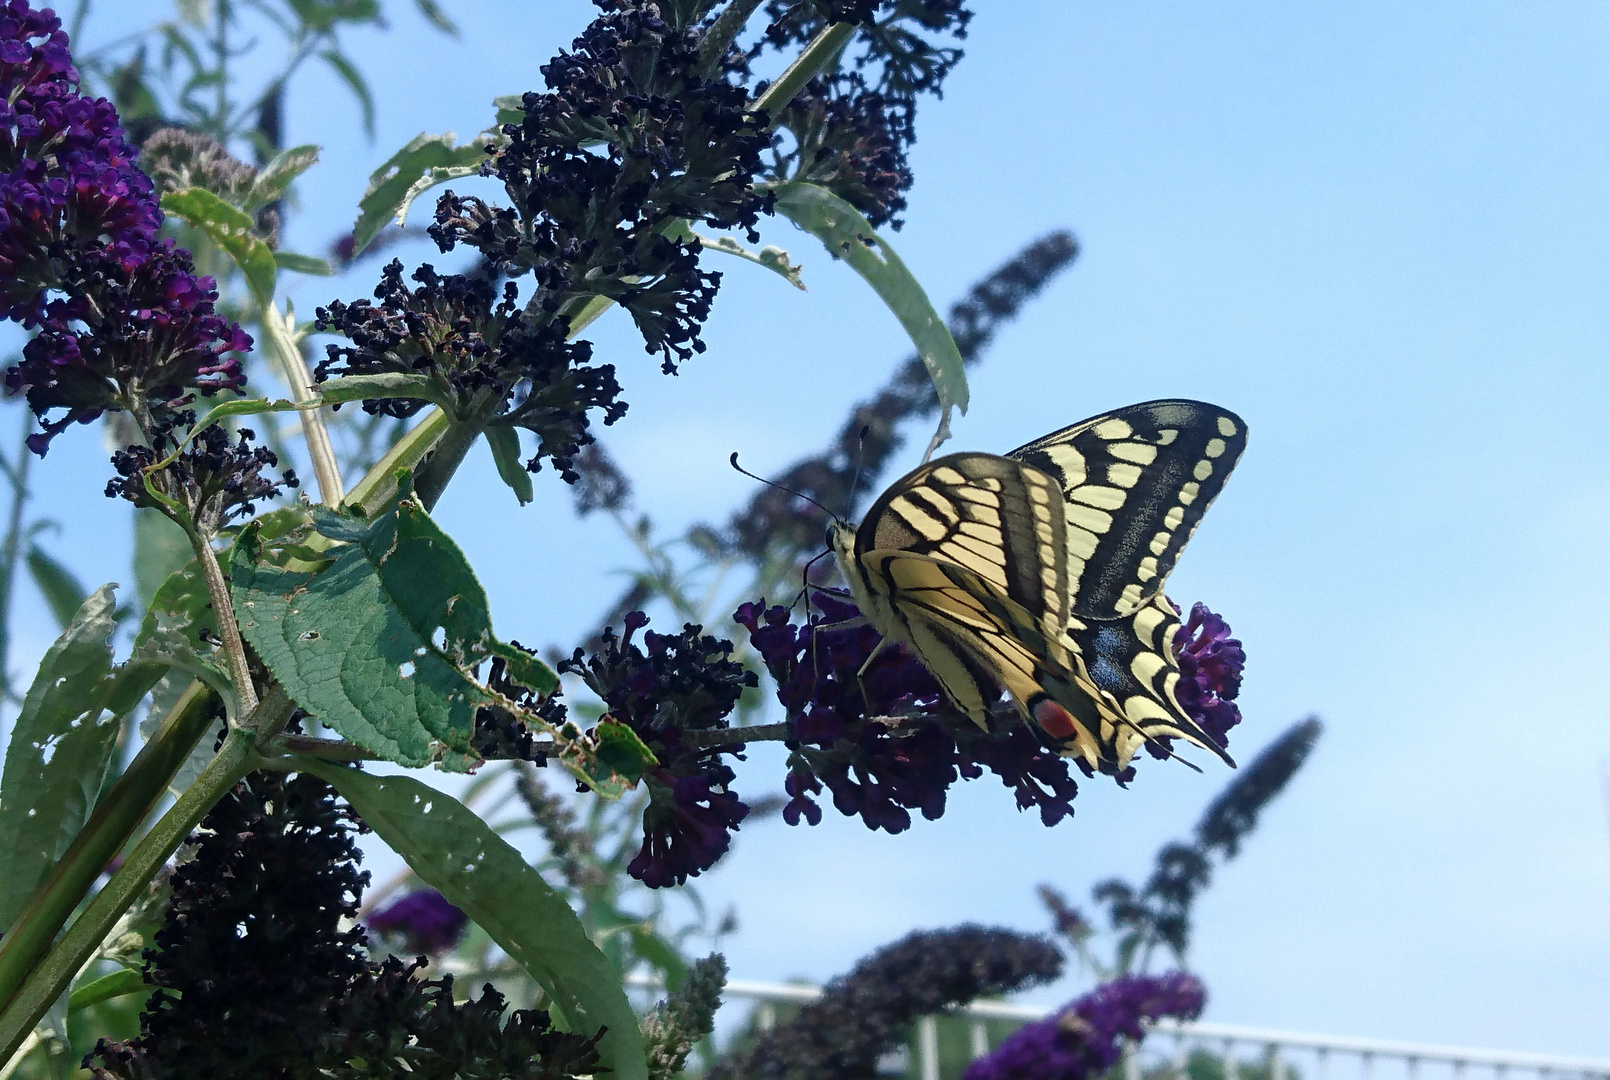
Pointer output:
x,y
384,645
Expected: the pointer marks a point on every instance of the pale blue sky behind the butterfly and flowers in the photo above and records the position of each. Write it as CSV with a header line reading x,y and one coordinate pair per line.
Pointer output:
x,y
1376,231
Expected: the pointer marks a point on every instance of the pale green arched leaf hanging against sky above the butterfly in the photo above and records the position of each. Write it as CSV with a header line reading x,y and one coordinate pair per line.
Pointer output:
x,y
848,236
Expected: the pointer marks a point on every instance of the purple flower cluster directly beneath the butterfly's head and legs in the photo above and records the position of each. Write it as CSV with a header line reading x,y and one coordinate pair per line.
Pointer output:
x,y
899,748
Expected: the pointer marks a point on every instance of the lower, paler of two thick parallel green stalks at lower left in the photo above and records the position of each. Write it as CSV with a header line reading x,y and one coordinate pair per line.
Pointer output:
x,y
52,978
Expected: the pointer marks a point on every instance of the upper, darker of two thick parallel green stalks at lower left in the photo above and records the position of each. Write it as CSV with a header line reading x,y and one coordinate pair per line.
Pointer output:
x,y
128,804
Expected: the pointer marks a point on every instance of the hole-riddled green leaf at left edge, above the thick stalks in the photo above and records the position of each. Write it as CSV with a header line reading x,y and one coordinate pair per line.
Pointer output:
x,y
62,748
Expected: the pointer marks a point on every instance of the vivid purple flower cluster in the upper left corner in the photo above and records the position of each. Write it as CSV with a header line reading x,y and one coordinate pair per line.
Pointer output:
x,y
123,319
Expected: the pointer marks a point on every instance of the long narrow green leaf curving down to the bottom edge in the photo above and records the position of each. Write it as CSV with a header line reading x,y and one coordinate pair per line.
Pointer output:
x,y
455,852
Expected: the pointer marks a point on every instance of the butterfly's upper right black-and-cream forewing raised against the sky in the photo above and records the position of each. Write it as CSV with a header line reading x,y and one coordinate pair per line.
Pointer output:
x,y
1136,484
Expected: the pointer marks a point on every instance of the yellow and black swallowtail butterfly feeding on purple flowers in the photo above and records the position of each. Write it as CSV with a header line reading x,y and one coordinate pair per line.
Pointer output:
x,y
1041,572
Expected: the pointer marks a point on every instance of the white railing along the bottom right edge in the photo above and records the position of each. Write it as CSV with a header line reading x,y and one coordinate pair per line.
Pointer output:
x,y
1315,1055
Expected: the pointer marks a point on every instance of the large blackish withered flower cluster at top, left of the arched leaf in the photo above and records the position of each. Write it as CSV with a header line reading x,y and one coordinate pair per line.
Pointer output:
x,y
627,139
